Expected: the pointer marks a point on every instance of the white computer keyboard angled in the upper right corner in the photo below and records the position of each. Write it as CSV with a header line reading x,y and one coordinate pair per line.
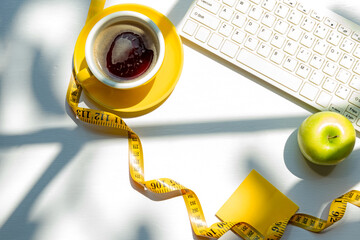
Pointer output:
x,y
311,55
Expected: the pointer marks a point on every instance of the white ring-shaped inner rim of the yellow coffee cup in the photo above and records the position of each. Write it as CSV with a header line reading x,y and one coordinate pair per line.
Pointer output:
x,y
123,16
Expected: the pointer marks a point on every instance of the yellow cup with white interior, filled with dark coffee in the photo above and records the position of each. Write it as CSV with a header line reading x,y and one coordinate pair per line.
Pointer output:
x,y
115,48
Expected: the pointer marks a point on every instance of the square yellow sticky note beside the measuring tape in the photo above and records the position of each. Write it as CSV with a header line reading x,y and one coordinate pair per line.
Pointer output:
x,y
258,203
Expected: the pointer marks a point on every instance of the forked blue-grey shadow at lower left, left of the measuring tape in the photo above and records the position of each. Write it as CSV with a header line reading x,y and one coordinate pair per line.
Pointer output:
x,y
17,225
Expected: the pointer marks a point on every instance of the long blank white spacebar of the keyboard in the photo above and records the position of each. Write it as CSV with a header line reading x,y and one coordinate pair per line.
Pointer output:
x,y
269,70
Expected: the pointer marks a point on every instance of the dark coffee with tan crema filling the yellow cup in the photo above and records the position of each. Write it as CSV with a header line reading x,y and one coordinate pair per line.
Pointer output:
x,y
113,45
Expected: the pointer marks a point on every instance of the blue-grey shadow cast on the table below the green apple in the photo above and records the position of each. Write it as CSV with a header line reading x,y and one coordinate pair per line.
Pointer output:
x,y
321,184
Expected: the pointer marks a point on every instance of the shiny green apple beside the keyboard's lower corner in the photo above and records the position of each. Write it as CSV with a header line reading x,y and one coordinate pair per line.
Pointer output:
x,y
326,138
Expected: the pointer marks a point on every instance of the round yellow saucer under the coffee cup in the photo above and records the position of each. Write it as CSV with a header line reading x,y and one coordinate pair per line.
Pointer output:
x,y
144,99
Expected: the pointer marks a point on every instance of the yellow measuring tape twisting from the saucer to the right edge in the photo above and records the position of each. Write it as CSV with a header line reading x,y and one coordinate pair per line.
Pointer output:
x,y
193,206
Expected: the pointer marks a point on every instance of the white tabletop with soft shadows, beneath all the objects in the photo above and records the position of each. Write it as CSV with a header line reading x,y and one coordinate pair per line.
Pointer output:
x,y
61,180
